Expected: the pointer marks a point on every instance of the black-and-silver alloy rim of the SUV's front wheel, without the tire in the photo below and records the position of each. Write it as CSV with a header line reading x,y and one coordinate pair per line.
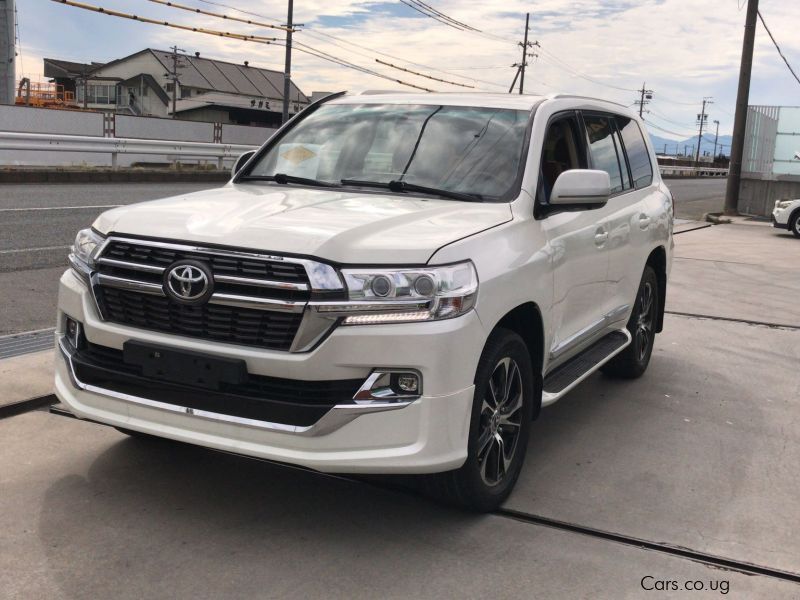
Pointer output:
x,y
500,421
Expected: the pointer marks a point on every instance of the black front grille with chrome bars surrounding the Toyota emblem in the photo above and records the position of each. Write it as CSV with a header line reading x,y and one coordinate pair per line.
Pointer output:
x,y
257,300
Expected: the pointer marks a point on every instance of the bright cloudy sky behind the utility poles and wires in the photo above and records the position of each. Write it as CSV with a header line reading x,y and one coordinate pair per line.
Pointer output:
x,y
682,50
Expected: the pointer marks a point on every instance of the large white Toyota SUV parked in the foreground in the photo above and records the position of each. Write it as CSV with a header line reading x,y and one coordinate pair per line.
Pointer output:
x,y
393,283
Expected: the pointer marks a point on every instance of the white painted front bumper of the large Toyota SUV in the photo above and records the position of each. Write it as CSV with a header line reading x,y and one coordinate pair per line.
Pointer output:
x,y
428,434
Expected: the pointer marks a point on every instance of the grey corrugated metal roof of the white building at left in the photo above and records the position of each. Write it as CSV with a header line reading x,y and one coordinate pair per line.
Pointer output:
x,y
222,76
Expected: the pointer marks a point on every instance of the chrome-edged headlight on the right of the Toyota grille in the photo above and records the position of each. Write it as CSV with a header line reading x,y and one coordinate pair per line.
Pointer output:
x,y
405,295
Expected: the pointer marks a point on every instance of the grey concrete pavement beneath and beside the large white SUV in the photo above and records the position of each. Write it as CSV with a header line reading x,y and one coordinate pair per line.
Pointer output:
x,y
700,453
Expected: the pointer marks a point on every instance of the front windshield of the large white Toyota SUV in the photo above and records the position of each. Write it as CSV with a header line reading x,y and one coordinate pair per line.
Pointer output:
x,y
459,149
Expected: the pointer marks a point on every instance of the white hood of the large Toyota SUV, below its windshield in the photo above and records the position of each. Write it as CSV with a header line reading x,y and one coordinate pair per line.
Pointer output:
x,y
340,226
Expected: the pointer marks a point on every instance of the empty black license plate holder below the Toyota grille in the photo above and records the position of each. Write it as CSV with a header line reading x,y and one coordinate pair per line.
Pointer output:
x,y
184,367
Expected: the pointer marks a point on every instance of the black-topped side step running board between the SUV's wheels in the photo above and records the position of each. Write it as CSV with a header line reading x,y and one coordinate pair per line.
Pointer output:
x,y
571,373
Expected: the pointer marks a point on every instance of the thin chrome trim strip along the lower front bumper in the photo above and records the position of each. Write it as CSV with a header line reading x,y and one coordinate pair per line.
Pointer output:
x,y
336,418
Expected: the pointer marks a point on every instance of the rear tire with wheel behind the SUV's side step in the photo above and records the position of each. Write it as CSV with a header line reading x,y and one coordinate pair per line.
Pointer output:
x,y
632,362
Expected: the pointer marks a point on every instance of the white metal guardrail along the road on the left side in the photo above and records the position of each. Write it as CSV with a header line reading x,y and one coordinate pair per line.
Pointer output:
x,y
116,146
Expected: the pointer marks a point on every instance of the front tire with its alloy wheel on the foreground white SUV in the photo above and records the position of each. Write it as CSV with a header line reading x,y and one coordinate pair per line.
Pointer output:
x,y
504,376
